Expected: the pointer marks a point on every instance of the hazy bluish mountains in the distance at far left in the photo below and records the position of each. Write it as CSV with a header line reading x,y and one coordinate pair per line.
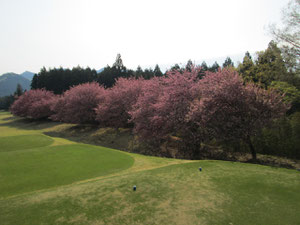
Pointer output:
x,y
9,82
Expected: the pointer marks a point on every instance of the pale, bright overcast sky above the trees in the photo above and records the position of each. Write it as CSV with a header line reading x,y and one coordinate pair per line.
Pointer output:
x,y
68,33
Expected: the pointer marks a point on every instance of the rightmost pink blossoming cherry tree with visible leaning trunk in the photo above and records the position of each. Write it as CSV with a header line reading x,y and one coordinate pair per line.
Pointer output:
x,y
232,110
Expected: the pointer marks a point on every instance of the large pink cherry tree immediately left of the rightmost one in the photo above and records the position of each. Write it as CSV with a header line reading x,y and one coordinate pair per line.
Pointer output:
x,y
163,104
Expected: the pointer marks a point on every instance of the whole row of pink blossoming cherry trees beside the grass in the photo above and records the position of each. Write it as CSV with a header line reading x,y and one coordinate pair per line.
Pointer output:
x,y
219,106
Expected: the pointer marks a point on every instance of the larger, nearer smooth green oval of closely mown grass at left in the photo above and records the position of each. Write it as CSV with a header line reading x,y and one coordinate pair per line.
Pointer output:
x,y
40,168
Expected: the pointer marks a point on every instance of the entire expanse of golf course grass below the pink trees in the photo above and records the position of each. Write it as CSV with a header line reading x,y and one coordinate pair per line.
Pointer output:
x,y
56,181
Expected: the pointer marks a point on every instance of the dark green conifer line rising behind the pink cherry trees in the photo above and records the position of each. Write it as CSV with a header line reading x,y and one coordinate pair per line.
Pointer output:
x,y
59,80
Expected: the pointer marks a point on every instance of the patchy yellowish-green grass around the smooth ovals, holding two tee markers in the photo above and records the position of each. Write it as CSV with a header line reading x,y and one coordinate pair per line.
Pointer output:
x,y
168,192
